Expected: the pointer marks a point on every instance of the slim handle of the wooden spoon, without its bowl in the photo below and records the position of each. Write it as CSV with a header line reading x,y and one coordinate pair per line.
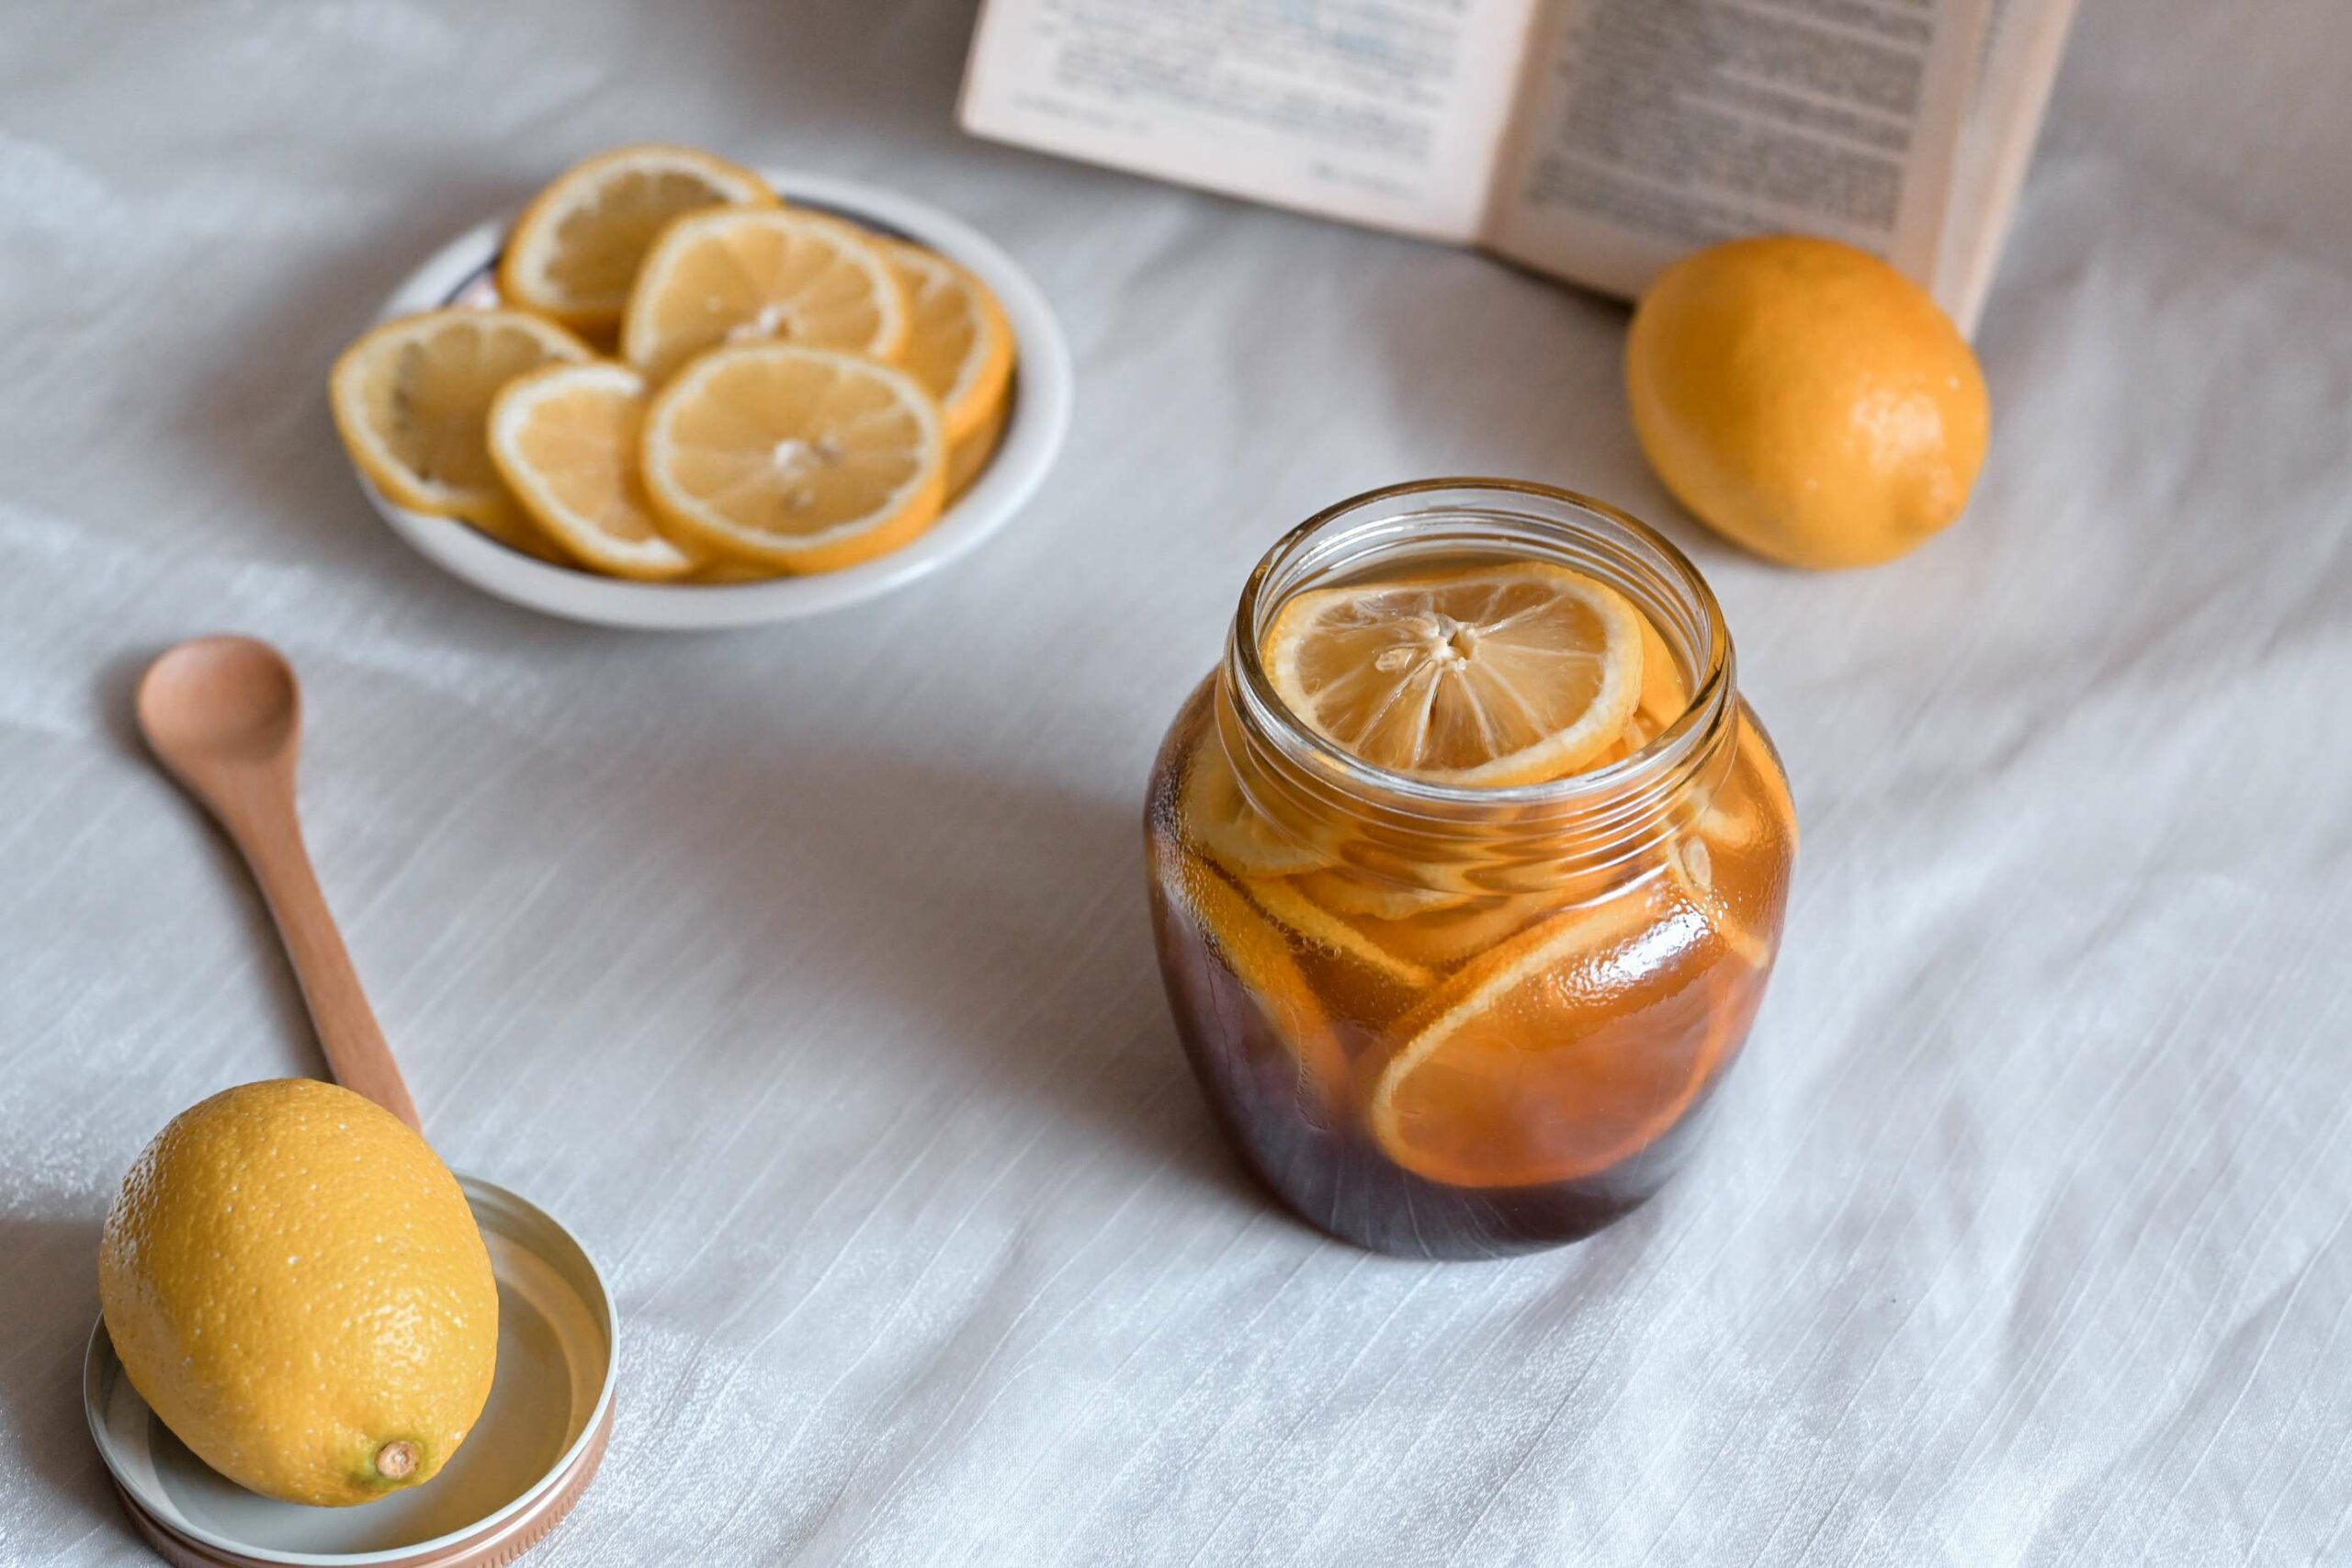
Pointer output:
x,y
269,833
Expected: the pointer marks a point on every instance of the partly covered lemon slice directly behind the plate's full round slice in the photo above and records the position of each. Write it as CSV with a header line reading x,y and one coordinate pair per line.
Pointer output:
x,y
744,274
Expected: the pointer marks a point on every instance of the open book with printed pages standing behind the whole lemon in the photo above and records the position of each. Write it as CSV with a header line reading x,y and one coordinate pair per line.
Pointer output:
x,y
1593,140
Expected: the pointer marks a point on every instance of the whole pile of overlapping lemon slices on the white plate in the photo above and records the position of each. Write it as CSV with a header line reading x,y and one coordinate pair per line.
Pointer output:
x,y
688,382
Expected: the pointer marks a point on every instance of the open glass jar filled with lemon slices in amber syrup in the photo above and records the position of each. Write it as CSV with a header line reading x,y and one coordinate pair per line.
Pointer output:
x,y
1469,866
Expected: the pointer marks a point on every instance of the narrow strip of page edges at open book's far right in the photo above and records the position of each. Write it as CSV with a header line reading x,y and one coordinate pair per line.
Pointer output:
x,y
2024,43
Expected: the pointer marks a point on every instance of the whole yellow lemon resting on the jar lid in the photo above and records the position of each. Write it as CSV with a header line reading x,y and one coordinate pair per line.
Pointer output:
x,y
298,1287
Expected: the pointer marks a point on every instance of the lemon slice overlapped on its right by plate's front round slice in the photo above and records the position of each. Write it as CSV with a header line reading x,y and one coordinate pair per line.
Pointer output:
x,y
566,441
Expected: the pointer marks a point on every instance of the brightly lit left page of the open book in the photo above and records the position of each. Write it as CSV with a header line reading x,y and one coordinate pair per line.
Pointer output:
x,y
1377,112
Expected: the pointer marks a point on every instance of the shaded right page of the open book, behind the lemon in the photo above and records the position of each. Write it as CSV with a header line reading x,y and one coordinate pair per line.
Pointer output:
x,y
1652,128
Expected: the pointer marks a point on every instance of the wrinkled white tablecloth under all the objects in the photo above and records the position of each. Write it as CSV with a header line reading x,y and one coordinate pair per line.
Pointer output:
x,y
808,974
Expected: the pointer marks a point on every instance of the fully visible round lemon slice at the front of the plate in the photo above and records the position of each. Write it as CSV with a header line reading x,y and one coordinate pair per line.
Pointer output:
x,y
796,457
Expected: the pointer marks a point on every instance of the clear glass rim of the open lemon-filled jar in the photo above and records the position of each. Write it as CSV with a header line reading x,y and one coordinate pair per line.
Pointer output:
x,y
1652,770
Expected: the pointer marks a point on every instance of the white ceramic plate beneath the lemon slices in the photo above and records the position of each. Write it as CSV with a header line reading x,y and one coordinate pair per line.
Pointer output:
x,y
465,272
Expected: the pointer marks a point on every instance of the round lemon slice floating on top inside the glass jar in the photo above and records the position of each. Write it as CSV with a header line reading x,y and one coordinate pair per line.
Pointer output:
x,y
1490,678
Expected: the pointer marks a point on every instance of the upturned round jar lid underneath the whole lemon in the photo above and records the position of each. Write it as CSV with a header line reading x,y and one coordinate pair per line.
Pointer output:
x,y
523,1466
